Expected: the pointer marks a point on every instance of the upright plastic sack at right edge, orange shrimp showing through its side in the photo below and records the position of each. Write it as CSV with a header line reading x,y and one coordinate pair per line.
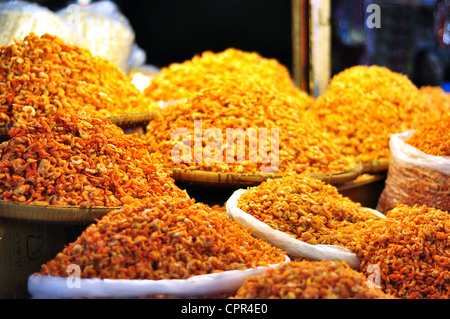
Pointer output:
x,y
415,178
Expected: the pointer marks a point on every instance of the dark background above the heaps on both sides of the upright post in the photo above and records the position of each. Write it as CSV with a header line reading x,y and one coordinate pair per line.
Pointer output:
x,y
175,30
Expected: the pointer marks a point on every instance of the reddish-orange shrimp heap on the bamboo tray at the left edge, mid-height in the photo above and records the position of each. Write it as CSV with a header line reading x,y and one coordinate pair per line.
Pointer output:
x,y
79,160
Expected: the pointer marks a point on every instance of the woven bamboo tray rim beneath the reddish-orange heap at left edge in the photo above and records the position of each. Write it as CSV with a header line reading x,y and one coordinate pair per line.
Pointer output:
x,y
52,214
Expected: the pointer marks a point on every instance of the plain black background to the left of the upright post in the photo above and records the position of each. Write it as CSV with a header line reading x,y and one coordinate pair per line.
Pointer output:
x,y
175,30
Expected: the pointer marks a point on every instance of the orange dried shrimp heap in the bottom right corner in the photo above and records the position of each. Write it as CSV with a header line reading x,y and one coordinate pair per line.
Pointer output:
x,y
410,248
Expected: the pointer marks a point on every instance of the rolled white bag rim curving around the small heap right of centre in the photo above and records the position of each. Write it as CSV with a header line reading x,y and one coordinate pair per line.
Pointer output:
x,y
292,246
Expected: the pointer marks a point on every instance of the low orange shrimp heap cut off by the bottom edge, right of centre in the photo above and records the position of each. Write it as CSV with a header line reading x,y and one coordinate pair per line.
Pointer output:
x,y
309,280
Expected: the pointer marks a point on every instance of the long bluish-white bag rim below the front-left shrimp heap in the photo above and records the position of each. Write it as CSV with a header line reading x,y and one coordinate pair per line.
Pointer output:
x,y
50,287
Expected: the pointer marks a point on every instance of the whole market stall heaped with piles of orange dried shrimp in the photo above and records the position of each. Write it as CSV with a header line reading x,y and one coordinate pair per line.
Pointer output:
x,y
220,176
